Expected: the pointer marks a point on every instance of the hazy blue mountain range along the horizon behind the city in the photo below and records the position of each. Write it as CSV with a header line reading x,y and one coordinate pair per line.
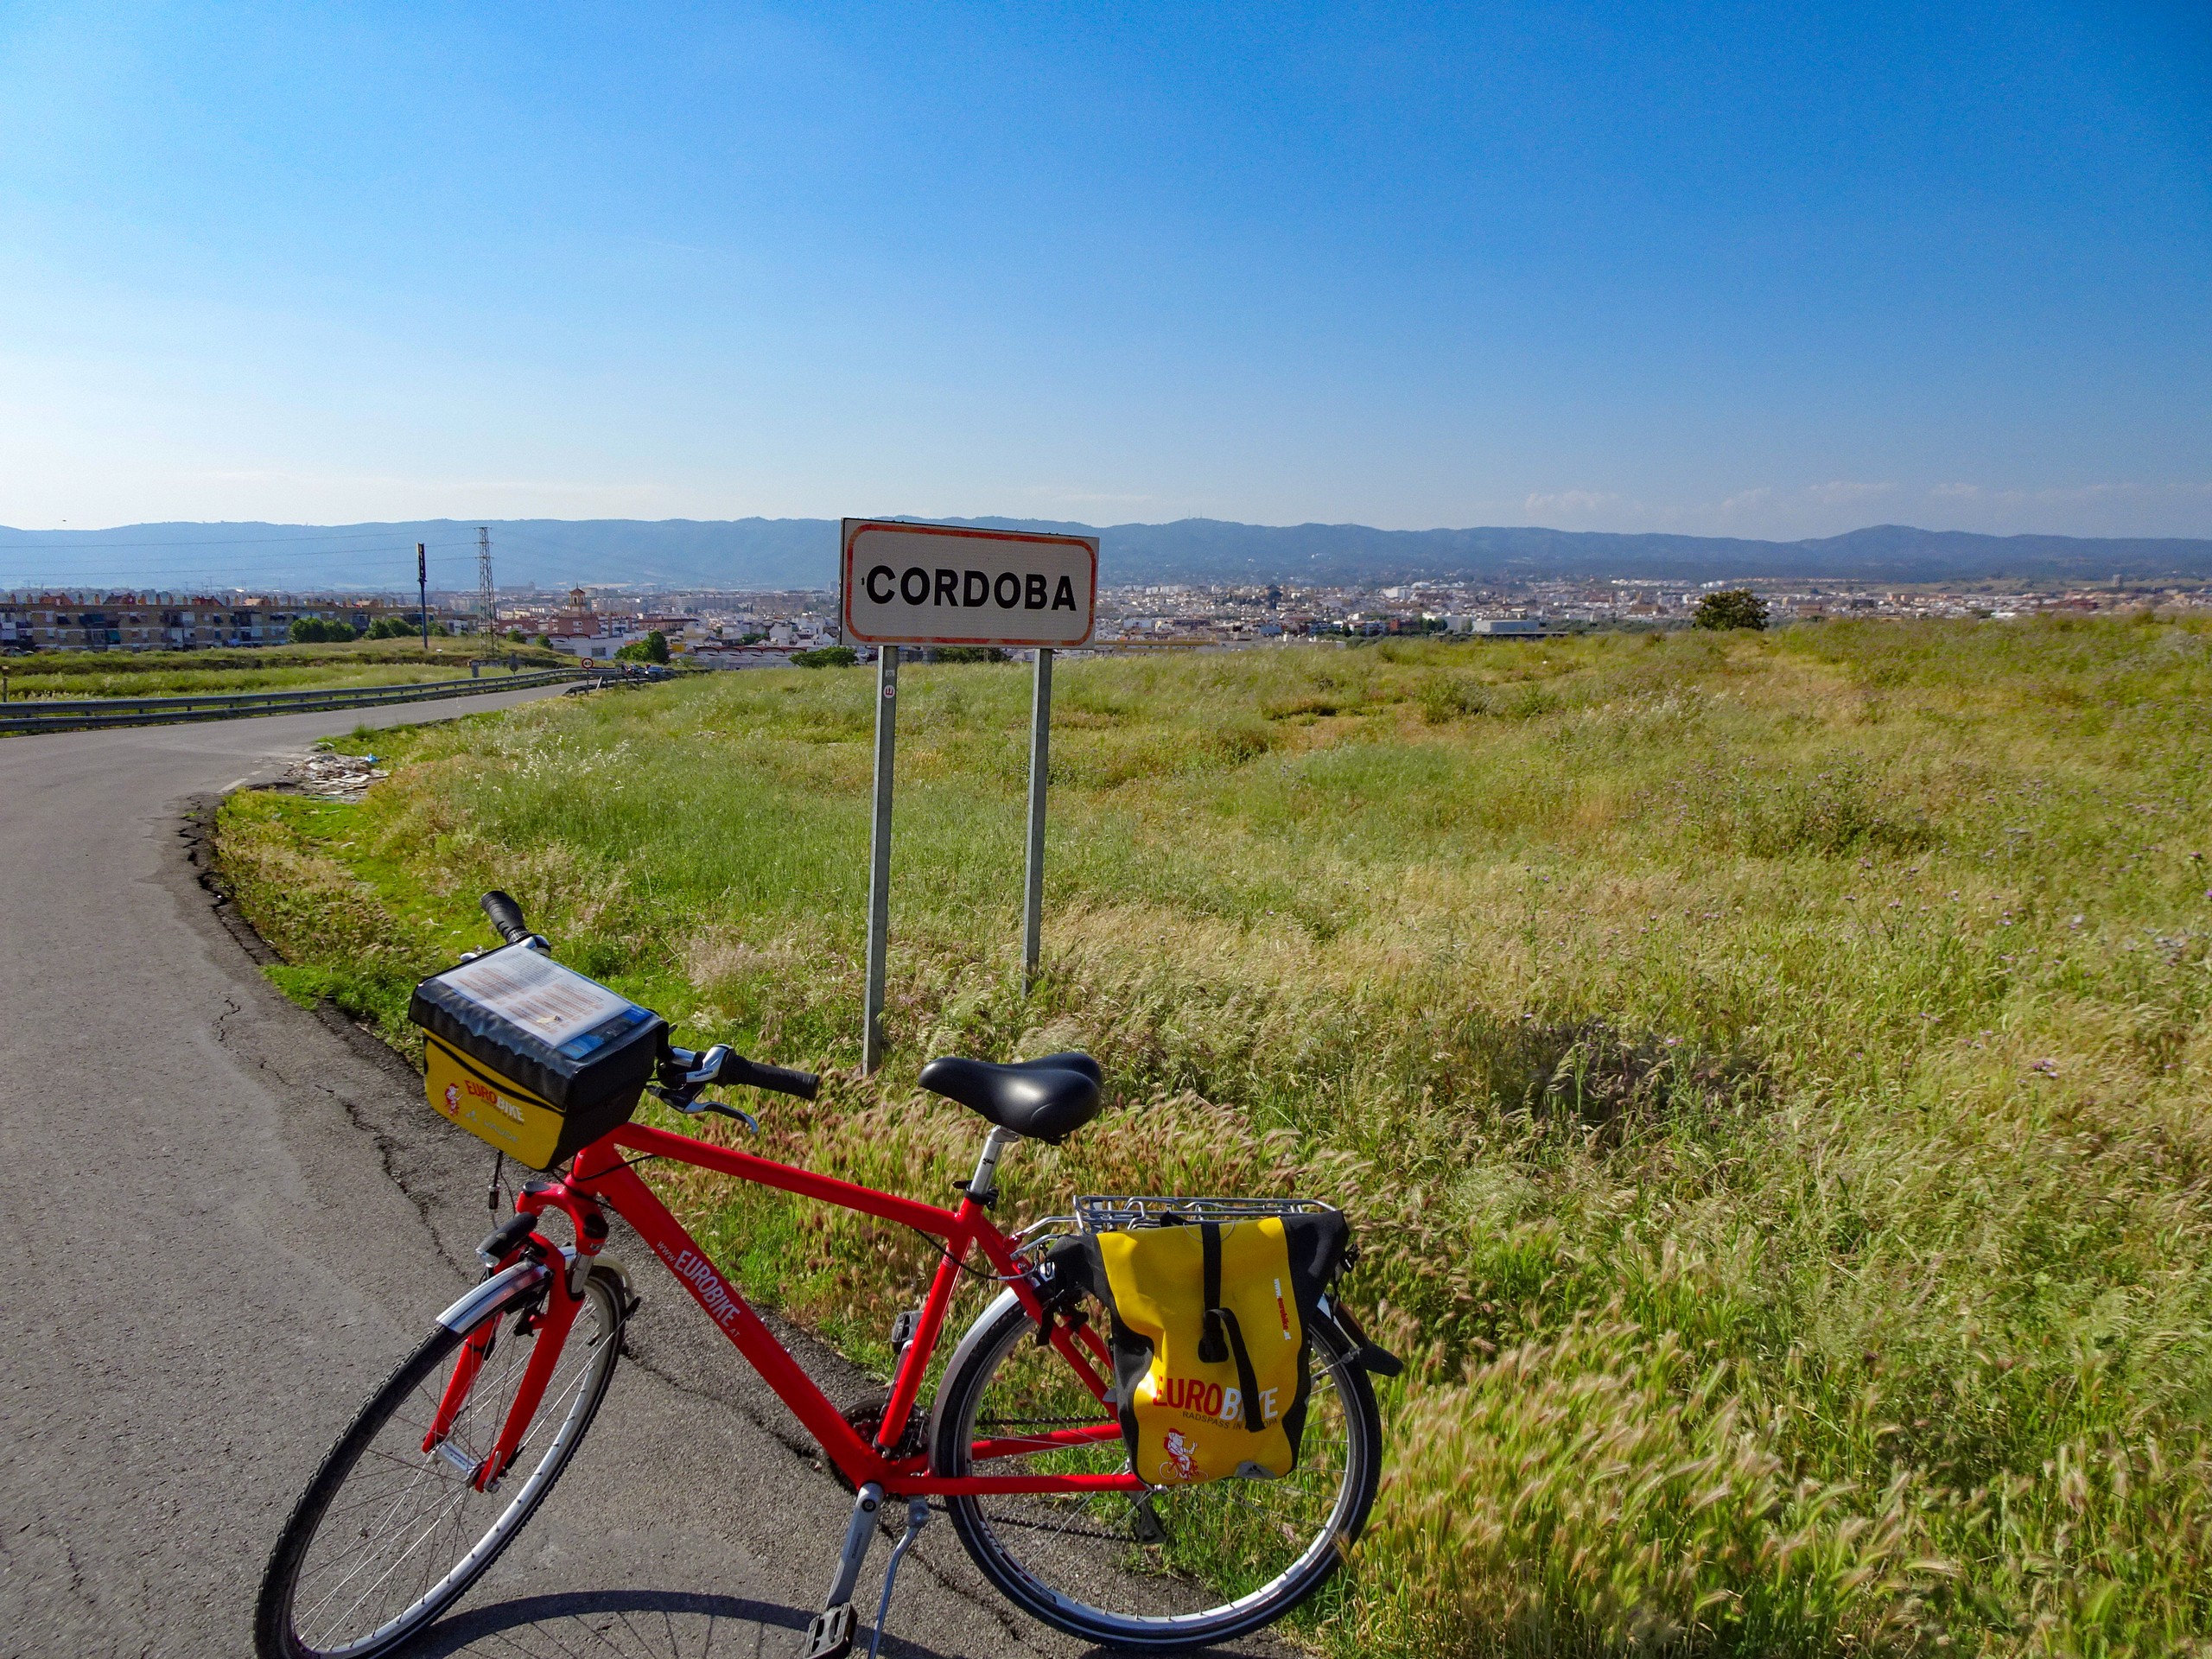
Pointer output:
x,y
802,554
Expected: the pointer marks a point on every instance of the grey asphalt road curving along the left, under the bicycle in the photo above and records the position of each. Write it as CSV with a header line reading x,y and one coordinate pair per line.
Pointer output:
x,y
231,1218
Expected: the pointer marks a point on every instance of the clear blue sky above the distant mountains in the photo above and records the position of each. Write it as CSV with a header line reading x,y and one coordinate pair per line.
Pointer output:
x,y
1760,271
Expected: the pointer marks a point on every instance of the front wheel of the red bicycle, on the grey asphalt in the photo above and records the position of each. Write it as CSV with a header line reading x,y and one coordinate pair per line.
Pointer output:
x,y
388,1534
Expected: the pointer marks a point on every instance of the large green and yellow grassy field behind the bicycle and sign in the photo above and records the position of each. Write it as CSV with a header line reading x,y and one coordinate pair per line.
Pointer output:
x,y
1768,1072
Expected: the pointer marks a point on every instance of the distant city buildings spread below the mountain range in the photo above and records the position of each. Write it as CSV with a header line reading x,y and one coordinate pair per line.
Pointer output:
x,y
738,629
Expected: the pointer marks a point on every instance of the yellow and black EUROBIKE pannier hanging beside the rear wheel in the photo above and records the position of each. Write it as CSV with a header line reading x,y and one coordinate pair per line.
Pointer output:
x,y
1213,1348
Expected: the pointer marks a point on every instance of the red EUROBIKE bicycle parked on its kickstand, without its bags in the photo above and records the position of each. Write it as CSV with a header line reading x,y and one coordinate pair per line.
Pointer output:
x,y
1023,1443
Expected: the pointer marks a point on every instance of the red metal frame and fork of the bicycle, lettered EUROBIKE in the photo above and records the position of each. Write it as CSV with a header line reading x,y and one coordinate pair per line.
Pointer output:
x,y
601,1176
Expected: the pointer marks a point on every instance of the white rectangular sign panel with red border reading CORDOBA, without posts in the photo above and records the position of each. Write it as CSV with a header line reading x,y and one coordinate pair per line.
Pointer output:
x,y
948,585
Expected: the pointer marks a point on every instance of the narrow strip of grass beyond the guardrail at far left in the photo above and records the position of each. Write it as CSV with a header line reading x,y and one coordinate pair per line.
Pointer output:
x,y
171,674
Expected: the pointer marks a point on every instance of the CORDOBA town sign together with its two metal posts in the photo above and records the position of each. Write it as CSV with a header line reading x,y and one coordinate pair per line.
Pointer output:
x,y
950,585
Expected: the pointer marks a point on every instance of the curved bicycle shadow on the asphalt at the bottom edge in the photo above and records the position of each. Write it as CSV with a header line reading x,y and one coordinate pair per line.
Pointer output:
x,y
634,1625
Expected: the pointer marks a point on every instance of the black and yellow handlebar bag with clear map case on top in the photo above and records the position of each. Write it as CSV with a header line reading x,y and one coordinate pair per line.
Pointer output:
x,y
532,1056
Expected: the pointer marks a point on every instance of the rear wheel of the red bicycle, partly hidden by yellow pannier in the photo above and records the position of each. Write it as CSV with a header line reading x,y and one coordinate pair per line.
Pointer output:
x,y
1089,1565
